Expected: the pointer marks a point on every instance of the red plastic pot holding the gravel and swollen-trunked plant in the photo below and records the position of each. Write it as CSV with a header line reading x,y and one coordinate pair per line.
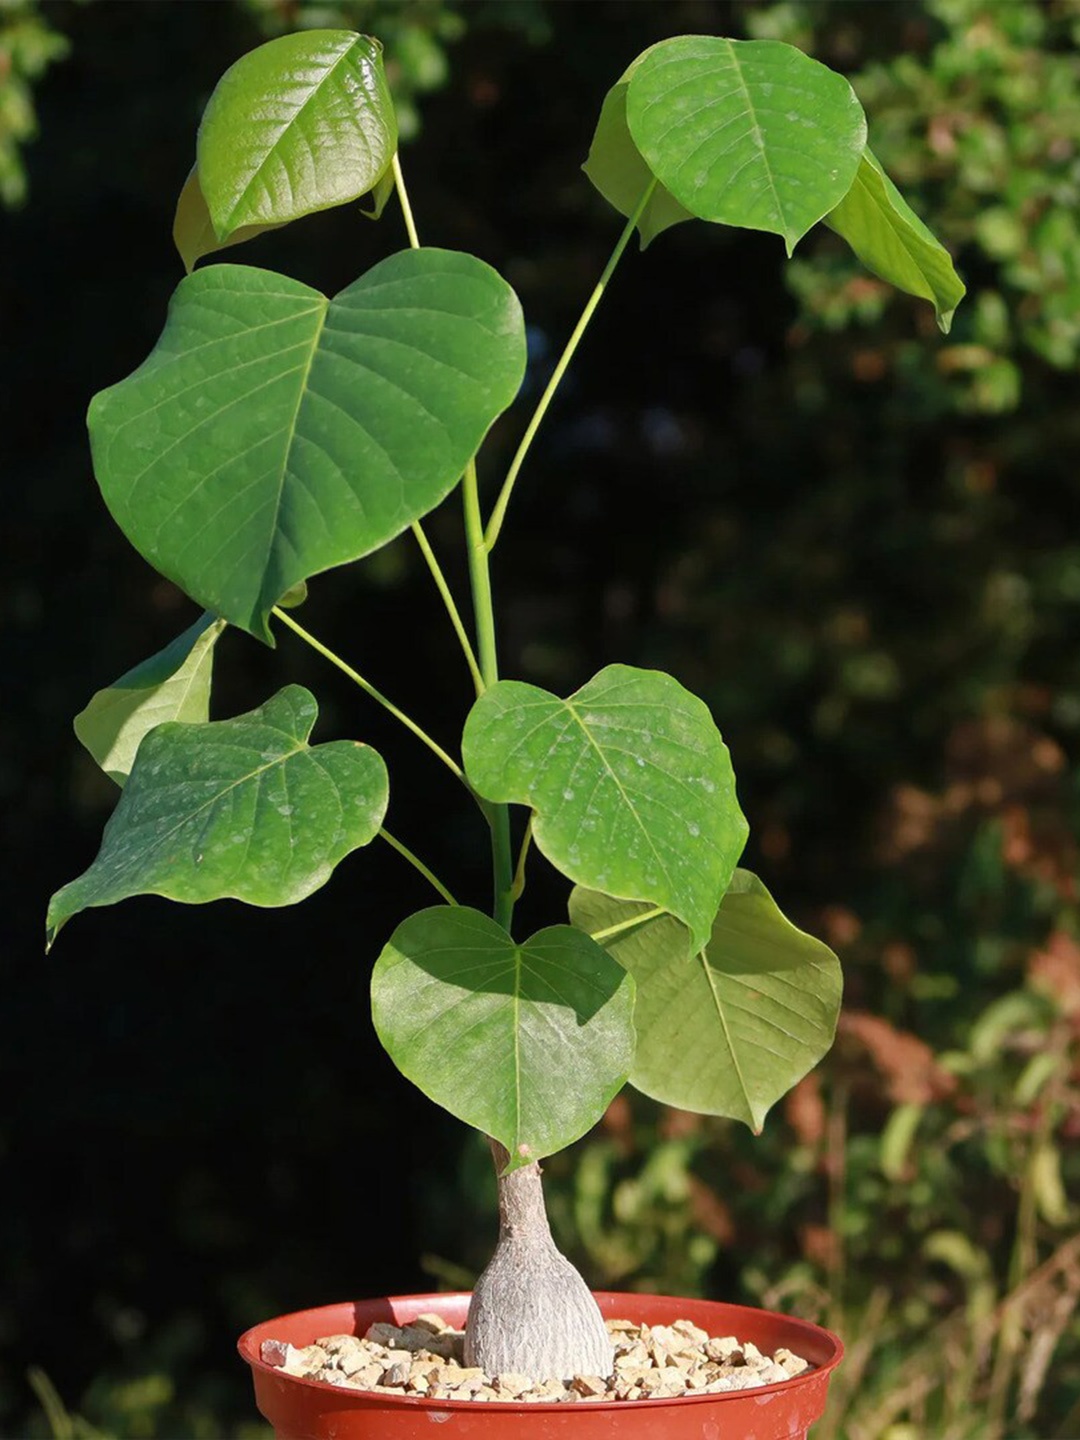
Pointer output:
x,y
313,1410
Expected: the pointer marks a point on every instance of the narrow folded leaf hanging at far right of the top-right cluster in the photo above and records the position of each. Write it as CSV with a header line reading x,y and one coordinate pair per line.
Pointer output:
x,y
894,243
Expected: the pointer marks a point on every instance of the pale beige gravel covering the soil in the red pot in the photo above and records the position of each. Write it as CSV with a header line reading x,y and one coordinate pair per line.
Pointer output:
x,y
424,1360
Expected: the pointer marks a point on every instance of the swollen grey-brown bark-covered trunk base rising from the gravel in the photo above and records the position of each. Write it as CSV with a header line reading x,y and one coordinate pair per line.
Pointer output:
x,y
532,1314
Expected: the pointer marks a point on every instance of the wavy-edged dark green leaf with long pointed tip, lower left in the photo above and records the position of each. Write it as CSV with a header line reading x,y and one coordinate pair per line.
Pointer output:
x,y
241,809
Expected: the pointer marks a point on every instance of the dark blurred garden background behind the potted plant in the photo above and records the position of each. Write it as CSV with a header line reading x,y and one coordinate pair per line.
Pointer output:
x,y
852,536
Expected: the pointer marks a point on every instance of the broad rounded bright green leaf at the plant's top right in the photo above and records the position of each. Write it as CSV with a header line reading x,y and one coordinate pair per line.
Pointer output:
x,y
747,133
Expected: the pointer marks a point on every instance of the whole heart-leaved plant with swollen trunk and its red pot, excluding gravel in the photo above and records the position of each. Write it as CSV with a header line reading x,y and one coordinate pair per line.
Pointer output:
x,y
276,433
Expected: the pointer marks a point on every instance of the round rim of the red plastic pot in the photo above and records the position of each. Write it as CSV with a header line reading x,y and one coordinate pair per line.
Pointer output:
x,y
251,1341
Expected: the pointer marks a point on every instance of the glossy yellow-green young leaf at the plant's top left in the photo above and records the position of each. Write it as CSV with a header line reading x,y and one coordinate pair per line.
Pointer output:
x,y
297,126
